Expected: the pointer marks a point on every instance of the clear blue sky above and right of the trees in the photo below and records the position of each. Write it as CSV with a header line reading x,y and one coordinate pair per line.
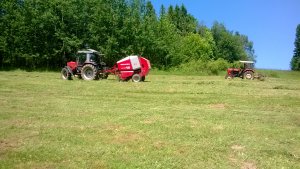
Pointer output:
x,y
270,24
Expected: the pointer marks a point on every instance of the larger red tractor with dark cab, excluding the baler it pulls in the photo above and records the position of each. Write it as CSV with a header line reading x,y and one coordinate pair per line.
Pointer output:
x,y
88,66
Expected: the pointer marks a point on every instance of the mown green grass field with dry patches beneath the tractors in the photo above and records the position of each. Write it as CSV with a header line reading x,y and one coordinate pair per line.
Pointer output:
x,y
169,121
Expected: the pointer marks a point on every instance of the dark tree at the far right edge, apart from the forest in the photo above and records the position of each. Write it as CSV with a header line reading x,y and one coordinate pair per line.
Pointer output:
x,y
295,62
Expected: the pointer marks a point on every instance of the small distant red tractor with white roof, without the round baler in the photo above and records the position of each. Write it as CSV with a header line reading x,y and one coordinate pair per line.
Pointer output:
x,y
246,72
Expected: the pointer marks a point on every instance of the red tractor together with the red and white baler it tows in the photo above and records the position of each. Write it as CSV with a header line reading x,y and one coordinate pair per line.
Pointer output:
x,y
89,66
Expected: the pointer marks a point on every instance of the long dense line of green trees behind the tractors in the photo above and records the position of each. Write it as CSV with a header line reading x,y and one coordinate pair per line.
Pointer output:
x,y
44,34
